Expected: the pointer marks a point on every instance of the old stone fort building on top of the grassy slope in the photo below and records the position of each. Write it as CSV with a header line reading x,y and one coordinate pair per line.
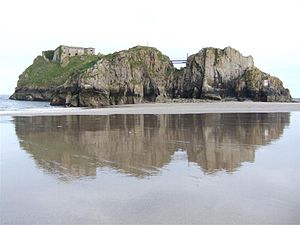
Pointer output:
x,y
62,53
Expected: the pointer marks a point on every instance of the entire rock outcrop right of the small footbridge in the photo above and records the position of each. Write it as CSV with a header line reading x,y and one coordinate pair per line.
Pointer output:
x,y
216,74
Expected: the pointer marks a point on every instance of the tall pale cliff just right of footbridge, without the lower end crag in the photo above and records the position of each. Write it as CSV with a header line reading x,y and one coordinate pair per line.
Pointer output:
x,y
212,72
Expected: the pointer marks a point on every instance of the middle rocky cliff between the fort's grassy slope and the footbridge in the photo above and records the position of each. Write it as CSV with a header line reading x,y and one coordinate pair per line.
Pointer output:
x,y
131,76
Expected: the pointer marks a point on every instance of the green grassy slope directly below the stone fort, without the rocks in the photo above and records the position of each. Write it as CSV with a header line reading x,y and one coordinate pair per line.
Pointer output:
x,y
43,73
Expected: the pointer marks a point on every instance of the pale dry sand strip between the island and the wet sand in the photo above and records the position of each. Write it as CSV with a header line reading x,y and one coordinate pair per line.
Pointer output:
x,y
164,108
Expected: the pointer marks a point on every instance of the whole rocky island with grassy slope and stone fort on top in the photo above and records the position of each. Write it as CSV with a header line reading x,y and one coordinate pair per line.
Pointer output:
x,y
74,76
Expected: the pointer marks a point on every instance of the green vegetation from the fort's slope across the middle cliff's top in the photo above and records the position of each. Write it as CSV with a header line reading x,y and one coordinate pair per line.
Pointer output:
x,y
44,73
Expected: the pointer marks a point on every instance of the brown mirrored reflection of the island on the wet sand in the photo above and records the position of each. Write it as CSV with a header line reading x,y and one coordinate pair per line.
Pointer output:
x,y
75,146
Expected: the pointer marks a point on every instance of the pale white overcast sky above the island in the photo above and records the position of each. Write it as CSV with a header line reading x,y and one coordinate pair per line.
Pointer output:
x,y
266,29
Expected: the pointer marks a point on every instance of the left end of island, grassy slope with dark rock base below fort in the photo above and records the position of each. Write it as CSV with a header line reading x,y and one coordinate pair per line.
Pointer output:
x,y
41,79
